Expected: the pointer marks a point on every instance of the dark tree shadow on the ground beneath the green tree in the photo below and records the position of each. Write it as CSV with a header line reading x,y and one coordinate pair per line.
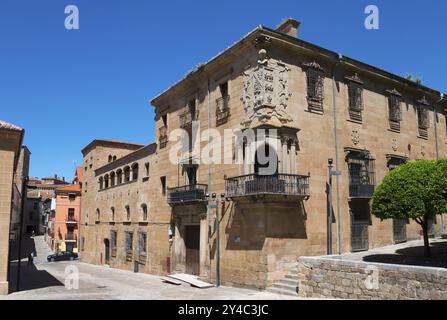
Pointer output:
x,y
414,256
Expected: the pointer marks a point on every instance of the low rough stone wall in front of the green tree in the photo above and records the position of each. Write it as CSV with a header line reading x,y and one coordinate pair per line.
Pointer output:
x,y
331,277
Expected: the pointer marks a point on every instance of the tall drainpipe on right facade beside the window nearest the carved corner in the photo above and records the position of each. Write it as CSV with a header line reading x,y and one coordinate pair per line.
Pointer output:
x,y
337,161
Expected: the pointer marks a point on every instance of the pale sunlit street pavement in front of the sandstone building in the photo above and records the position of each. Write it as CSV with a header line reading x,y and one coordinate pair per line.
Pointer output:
x,y
45,280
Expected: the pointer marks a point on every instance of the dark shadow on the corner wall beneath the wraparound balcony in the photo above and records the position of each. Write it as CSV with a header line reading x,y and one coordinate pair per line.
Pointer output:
x,y
251,223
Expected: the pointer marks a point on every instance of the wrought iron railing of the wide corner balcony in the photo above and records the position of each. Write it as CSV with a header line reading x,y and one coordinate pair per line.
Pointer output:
x,y
279,184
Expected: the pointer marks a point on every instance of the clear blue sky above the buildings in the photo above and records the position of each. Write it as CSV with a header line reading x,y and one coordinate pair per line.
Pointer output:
x,y
67,88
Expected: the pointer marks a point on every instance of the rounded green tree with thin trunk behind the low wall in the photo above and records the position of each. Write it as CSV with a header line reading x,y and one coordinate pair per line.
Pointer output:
x,y
416,190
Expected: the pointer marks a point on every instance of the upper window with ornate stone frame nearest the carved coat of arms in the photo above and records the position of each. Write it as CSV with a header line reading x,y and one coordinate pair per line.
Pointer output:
x,y
315,86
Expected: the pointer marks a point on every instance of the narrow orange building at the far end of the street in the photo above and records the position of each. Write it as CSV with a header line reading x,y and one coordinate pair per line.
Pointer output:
x,y
66,215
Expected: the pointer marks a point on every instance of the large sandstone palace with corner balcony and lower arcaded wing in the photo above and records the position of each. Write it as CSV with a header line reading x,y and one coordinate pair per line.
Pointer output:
x,y
142,212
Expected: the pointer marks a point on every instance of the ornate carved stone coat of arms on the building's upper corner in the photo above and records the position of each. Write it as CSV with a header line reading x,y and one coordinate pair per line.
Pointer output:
x,y
266,93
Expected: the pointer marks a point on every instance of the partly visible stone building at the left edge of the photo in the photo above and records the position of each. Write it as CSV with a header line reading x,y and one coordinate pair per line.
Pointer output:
x,y
11,178
